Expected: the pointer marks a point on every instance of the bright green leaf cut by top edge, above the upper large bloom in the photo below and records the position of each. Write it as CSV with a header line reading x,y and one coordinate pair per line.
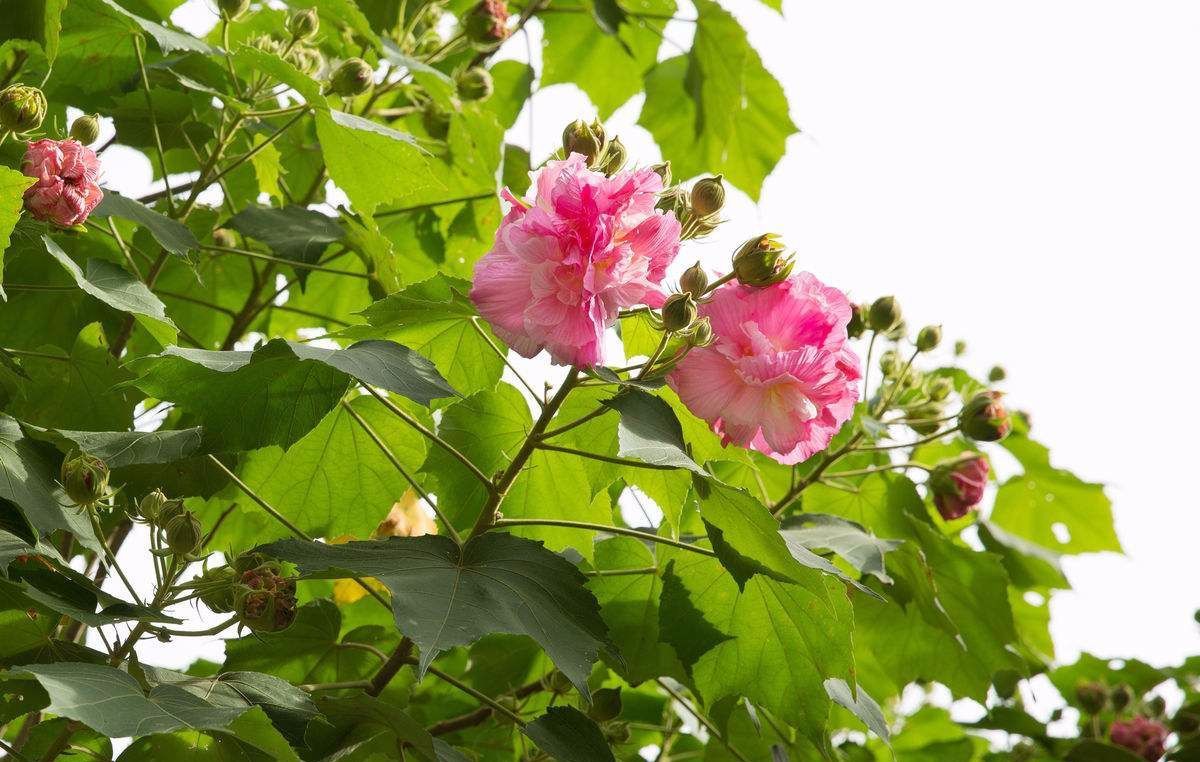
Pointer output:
x,y
607,61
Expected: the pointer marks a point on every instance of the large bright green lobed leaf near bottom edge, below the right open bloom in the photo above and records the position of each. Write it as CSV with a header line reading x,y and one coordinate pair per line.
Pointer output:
x,y
787,640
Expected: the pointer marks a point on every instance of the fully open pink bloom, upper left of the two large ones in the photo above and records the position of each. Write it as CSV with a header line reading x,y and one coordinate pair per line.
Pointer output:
x,y
562,268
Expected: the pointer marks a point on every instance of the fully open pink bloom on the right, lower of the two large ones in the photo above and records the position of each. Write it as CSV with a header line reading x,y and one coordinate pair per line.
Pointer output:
x,y
779,376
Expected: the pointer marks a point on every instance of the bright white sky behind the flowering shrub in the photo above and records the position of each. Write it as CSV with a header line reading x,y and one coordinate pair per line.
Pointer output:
x,y
1025,173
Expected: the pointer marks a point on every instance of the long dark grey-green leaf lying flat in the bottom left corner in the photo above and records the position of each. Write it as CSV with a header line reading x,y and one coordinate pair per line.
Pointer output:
x,y
112,703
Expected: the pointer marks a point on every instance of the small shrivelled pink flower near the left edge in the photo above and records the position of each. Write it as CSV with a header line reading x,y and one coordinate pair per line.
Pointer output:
x,y
67,191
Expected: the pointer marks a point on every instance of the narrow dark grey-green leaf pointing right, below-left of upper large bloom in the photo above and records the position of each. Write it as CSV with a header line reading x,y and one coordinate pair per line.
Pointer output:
x,y
387,365
